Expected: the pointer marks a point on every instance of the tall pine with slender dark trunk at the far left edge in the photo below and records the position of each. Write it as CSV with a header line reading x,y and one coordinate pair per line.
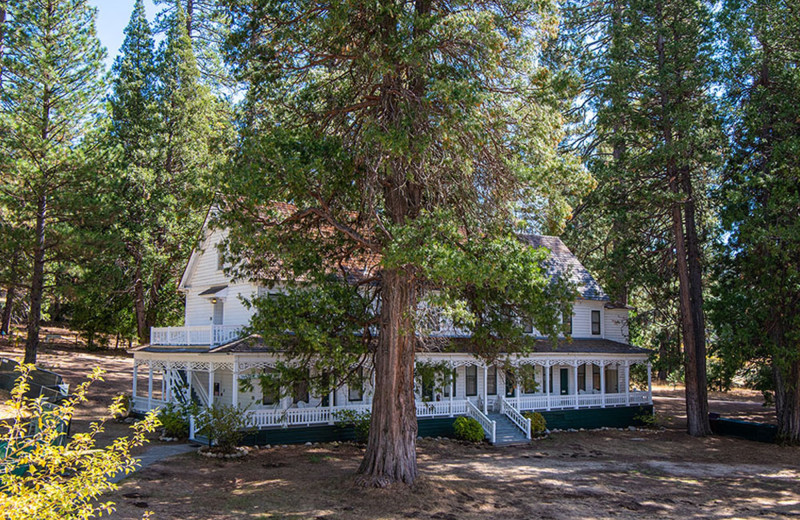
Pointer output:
x,y
51,93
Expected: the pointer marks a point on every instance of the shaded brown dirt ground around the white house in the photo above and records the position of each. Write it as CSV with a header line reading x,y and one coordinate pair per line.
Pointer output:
x,y
592,474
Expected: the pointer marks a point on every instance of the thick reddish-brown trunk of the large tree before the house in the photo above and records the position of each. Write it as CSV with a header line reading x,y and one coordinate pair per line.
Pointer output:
x,y
391,448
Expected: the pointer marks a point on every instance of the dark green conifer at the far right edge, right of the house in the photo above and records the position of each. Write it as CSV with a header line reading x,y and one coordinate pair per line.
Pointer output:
x,y
757,311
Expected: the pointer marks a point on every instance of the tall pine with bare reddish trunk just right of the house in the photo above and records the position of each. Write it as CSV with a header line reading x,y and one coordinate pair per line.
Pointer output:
x,y
655,143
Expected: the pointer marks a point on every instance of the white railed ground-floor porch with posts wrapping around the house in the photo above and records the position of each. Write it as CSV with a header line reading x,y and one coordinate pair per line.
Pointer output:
x,y
476,389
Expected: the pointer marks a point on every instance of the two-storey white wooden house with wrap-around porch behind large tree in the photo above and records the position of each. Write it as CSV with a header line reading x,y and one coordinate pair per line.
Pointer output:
x,y
584,382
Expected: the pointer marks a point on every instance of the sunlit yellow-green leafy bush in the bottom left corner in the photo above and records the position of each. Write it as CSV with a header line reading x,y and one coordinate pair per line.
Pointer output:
x,y
46,476
